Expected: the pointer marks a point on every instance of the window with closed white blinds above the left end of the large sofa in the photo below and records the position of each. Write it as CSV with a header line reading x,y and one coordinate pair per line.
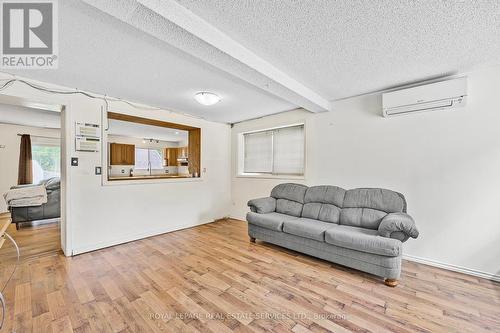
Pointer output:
x,y
278,151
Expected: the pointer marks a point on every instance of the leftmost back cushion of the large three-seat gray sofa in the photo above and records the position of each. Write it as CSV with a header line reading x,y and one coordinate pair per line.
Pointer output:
x,y
289,198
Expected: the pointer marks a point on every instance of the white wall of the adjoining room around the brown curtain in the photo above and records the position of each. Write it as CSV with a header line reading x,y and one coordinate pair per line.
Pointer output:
x,y
9,156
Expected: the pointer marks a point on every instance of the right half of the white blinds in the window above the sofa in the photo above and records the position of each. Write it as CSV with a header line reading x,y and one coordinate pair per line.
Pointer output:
x,y
289,150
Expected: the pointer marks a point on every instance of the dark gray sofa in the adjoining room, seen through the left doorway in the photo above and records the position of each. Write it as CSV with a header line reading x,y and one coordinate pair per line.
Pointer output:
x,y
49,210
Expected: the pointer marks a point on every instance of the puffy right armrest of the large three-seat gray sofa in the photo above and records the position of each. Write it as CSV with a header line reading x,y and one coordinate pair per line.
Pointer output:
x,y
399,226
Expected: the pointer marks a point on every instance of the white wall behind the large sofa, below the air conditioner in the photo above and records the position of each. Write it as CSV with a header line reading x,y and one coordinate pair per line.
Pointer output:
x,y
446,163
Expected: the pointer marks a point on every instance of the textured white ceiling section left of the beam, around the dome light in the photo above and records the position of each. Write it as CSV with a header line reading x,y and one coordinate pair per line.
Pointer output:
x,y
101,54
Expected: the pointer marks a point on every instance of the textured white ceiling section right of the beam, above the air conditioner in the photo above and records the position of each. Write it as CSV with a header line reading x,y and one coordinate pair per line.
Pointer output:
x,y
345,48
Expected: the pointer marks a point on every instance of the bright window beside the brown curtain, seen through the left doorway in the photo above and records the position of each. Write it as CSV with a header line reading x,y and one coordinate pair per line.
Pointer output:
x,y
46,156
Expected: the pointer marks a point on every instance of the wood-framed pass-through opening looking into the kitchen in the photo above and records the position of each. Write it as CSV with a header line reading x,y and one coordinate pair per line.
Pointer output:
x,y
143,149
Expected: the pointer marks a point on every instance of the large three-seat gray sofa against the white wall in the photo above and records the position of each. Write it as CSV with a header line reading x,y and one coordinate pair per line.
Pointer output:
x,y
362,228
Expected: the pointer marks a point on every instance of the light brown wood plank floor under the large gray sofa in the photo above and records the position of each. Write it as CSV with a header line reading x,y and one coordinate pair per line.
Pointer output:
x,y
210,278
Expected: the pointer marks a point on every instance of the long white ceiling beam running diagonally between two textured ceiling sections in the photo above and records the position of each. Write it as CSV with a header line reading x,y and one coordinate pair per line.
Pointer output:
x,y
215,47
